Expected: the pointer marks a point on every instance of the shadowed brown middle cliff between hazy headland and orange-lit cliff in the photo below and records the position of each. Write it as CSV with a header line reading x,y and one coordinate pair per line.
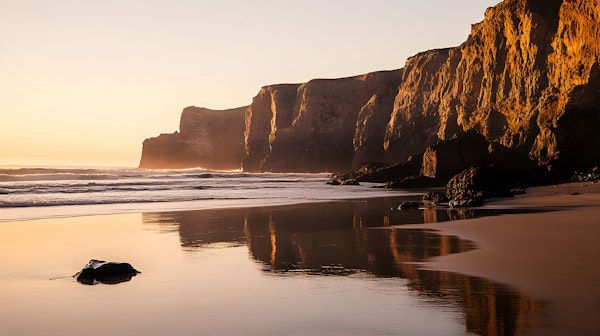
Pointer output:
x,y
309,127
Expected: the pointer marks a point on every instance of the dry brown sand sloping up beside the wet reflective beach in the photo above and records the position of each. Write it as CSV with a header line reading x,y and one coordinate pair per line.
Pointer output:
x,y
551,256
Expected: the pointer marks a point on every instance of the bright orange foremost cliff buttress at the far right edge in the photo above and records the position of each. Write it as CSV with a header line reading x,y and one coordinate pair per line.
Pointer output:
x,y
570,105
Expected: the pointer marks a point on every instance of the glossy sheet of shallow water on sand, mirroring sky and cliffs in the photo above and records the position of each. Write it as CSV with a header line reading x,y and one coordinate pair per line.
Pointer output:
x,y
337,268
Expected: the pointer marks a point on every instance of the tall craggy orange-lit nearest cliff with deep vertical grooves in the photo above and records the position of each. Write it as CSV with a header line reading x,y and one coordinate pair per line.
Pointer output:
x,y
526,79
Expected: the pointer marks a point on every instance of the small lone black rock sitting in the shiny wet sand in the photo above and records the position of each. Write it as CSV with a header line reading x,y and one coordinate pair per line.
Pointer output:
x,y
106,272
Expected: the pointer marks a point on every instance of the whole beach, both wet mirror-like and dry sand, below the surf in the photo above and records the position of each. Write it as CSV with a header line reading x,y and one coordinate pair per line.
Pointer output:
x,y
333,268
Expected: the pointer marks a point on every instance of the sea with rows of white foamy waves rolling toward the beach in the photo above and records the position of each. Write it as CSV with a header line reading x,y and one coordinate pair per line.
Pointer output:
x,y
33,193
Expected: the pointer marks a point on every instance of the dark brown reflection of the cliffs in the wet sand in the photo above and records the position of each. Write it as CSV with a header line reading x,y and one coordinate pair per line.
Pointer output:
x,y
342,238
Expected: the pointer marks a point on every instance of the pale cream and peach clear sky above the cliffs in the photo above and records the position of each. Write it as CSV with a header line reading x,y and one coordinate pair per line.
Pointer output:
x,y
84,82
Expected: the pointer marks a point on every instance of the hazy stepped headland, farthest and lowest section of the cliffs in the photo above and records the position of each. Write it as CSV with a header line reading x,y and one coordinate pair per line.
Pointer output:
x,y
211,139
